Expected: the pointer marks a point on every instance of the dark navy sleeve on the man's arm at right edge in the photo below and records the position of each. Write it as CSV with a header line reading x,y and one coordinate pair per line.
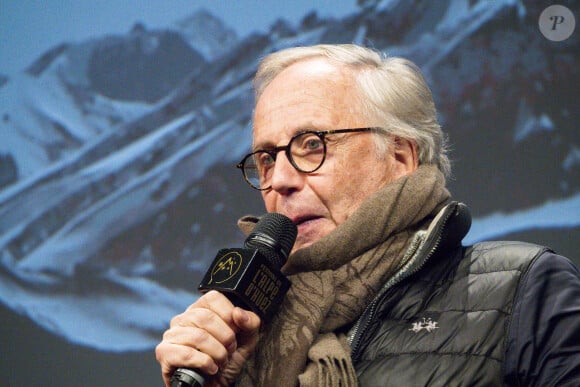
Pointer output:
x,y
541,345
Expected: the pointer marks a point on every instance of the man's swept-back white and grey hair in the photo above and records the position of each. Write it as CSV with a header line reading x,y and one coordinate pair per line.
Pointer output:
x,y
392,90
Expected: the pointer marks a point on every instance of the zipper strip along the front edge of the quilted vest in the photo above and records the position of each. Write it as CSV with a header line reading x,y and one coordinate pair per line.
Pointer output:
x,y
410,268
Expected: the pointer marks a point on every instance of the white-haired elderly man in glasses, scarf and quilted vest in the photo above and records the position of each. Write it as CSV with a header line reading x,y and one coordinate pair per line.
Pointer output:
x,y
347,145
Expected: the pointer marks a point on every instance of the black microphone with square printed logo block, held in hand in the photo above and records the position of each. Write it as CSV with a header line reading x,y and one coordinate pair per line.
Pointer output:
x,y
249,277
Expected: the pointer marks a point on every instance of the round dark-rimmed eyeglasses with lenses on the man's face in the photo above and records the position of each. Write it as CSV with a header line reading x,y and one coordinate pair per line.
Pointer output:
x,y
306,151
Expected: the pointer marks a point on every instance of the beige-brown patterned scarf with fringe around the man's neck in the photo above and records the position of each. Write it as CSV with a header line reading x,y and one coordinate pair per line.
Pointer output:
x,y
334,279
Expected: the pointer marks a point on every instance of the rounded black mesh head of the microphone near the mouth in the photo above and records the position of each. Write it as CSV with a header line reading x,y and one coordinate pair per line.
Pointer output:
x,y
274,235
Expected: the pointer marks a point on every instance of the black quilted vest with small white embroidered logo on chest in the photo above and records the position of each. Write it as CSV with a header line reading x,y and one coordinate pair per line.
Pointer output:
x,y
446,324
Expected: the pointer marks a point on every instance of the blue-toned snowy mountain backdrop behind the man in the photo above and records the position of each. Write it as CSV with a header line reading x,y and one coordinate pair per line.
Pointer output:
x,y
116,154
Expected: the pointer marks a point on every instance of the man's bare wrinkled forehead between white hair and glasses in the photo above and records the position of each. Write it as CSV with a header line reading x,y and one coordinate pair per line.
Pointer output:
x,y
309,95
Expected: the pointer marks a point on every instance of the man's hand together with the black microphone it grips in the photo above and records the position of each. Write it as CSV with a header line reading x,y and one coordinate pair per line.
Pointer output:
x,y
216,335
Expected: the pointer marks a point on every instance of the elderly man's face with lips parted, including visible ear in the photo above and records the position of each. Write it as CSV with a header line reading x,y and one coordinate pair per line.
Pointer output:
x,y
315,95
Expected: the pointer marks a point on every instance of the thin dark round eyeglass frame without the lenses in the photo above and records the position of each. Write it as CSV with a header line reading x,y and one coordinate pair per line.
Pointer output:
x,y
286,148
